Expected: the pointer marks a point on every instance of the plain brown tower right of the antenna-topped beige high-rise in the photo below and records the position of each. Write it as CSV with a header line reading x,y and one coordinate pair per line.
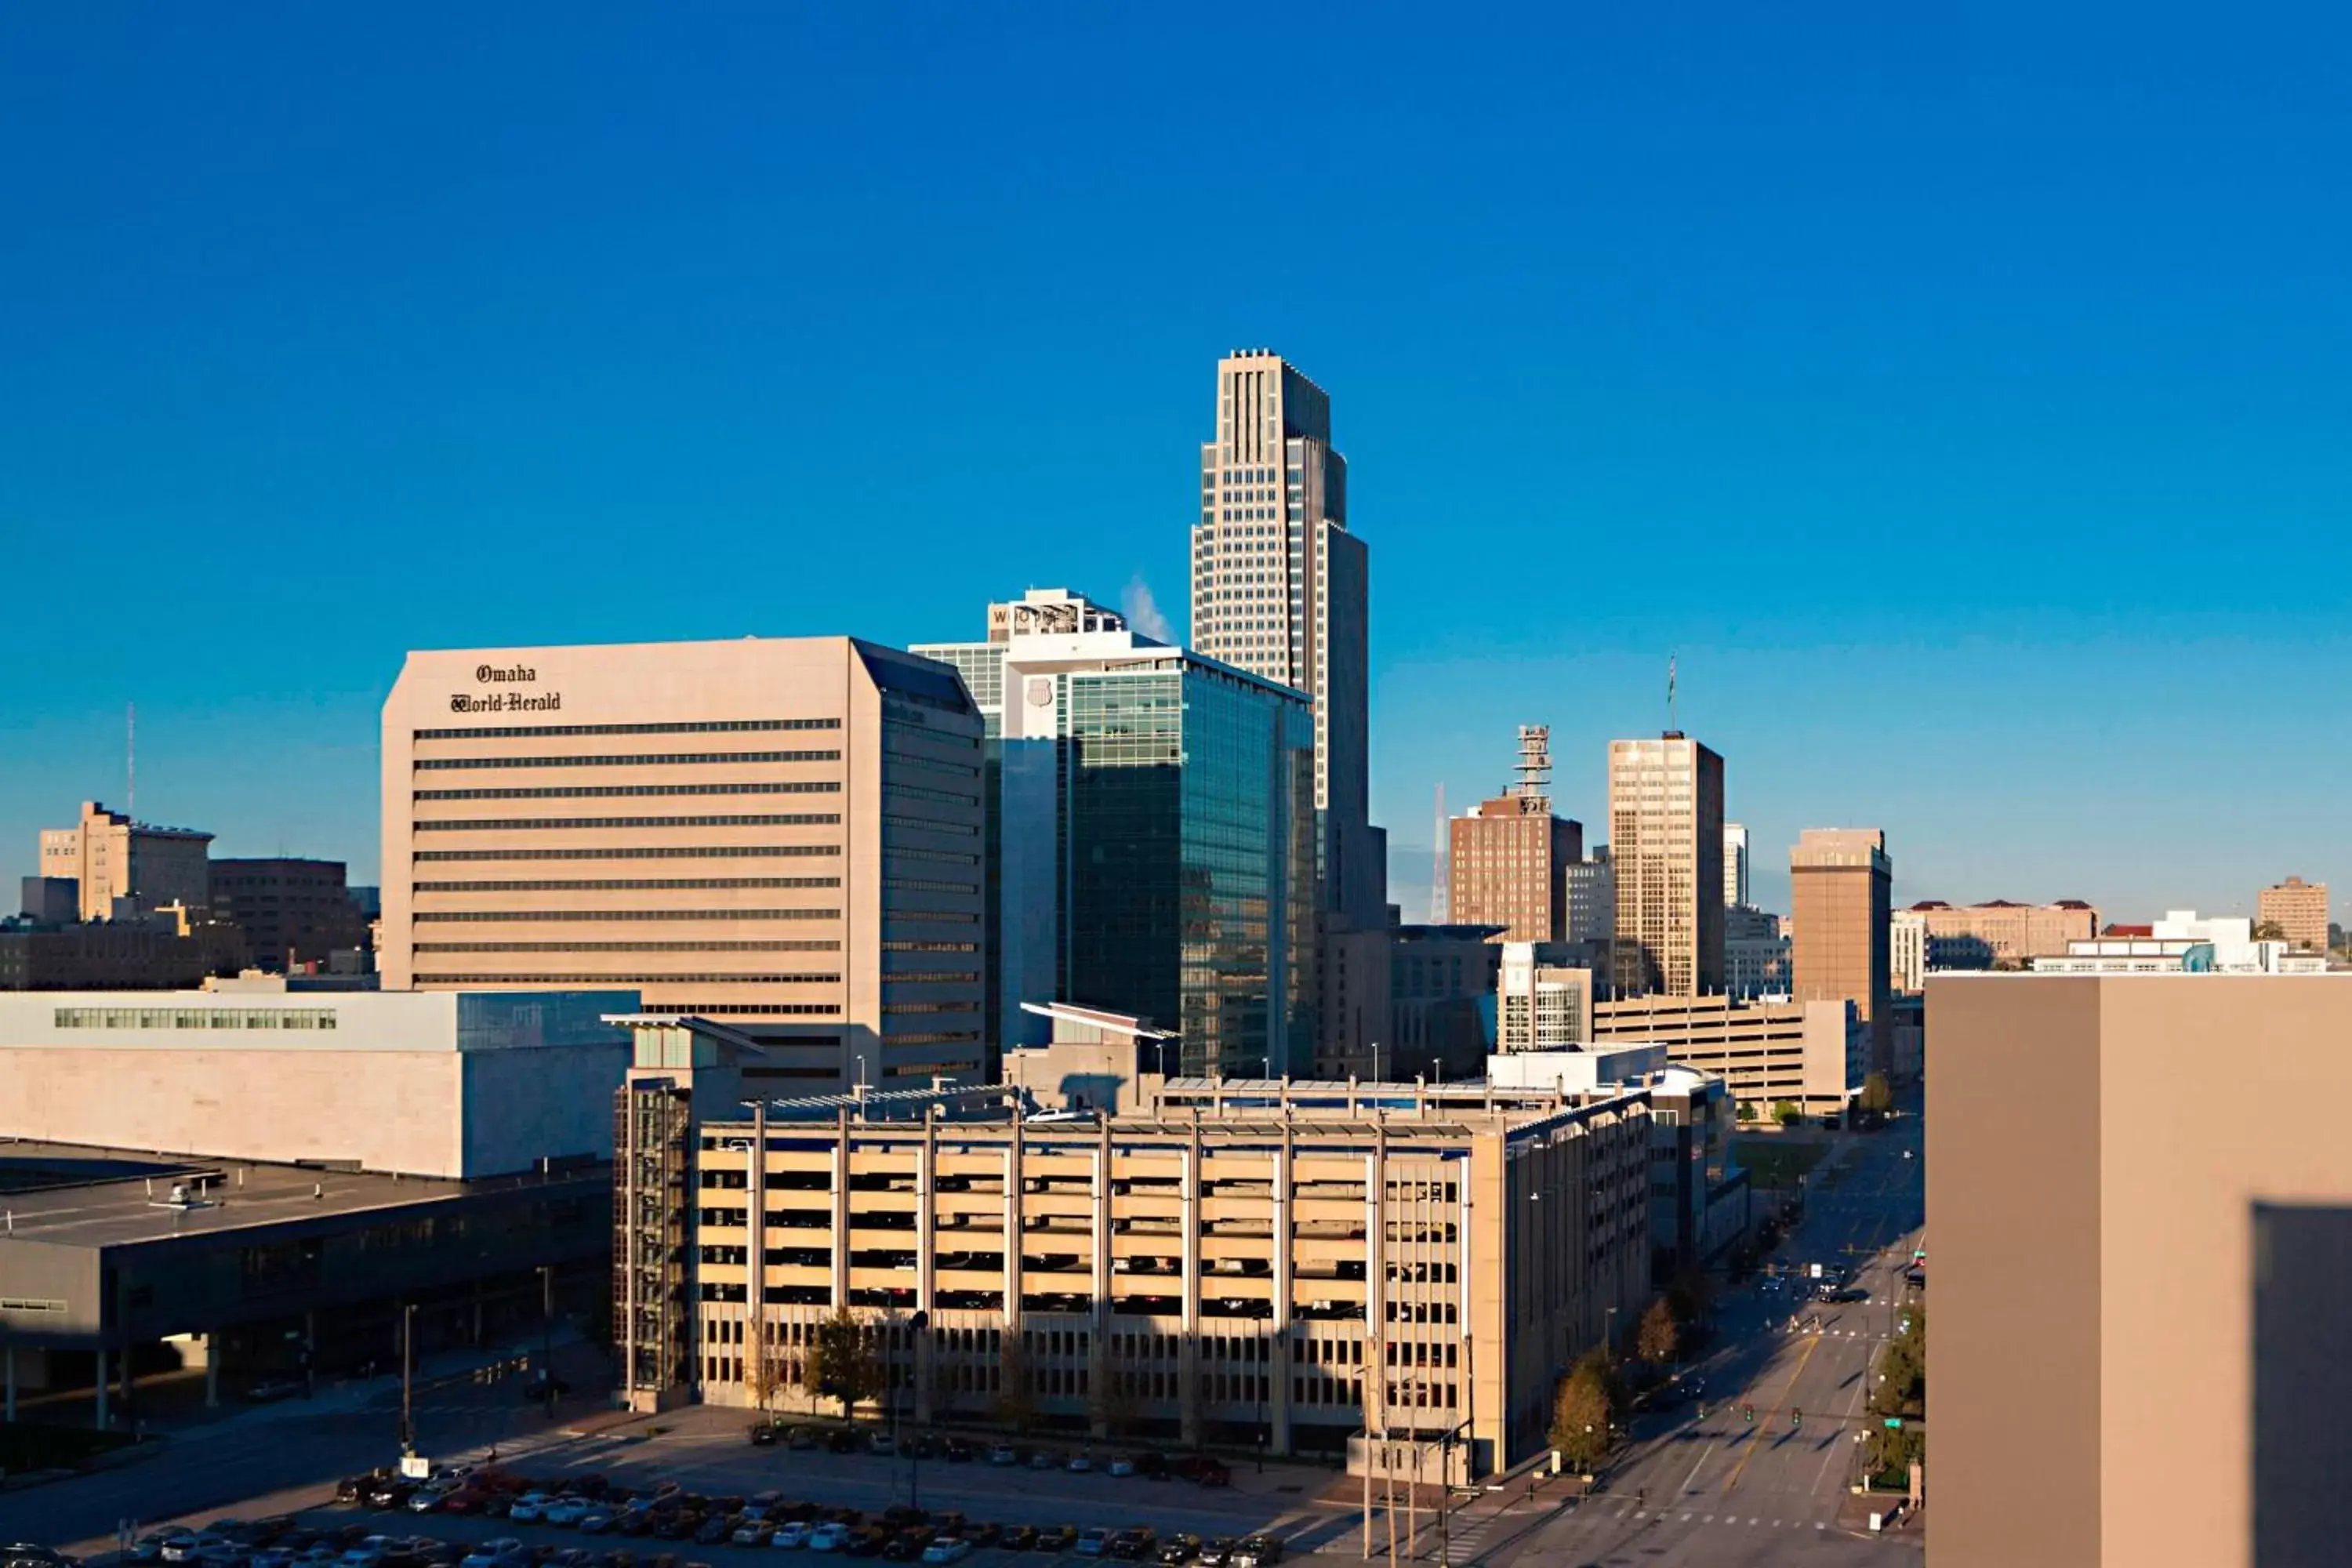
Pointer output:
x,y
1840,892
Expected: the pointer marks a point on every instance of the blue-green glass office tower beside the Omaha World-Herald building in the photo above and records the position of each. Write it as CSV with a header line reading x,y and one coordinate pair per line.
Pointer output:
x,y
1151,836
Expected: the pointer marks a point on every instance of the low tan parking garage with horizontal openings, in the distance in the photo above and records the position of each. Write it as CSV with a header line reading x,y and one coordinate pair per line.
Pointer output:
x,y
1812,1054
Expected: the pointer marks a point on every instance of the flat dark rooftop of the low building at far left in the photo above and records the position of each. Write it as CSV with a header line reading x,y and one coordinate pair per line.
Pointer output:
x,y
79,1195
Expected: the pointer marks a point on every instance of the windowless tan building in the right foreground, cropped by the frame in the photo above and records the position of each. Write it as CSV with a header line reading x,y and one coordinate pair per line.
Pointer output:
x,y
2141,1257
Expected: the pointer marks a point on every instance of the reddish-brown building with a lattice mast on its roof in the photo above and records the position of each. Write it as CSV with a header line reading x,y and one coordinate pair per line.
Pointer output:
x,y
1511,857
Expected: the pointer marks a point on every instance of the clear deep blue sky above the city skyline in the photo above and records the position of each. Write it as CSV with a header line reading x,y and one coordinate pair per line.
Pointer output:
x,y
1963,391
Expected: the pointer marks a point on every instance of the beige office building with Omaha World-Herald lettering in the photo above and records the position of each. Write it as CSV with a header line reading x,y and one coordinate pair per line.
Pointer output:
x,y
780,833
